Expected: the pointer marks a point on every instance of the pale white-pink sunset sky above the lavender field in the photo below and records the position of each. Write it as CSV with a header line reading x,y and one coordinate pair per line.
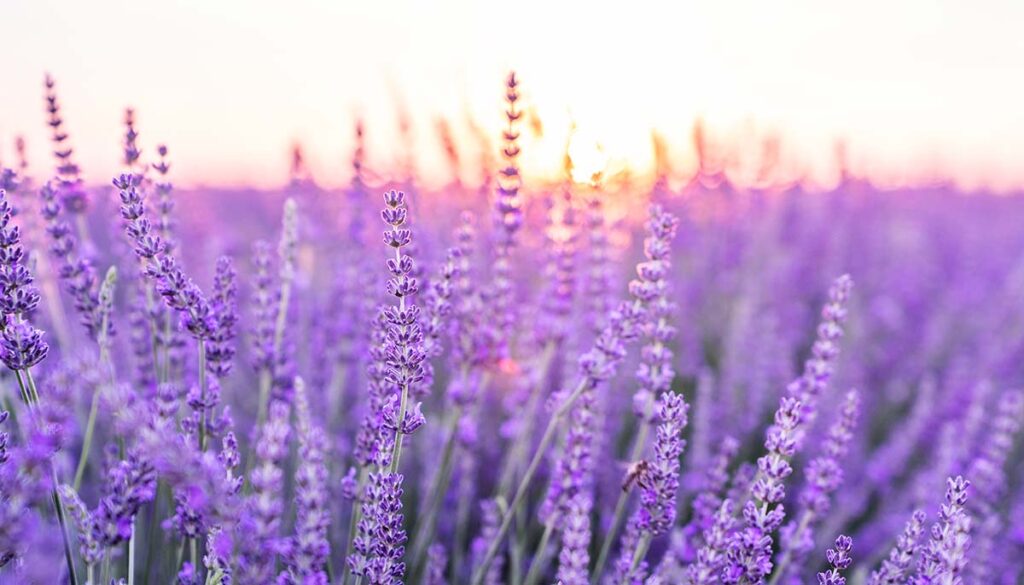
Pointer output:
x,y
918,89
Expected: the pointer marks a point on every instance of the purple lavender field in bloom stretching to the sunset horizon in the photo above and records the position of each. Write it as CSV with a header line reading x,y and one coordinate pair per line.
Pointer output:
x,y
514,383
